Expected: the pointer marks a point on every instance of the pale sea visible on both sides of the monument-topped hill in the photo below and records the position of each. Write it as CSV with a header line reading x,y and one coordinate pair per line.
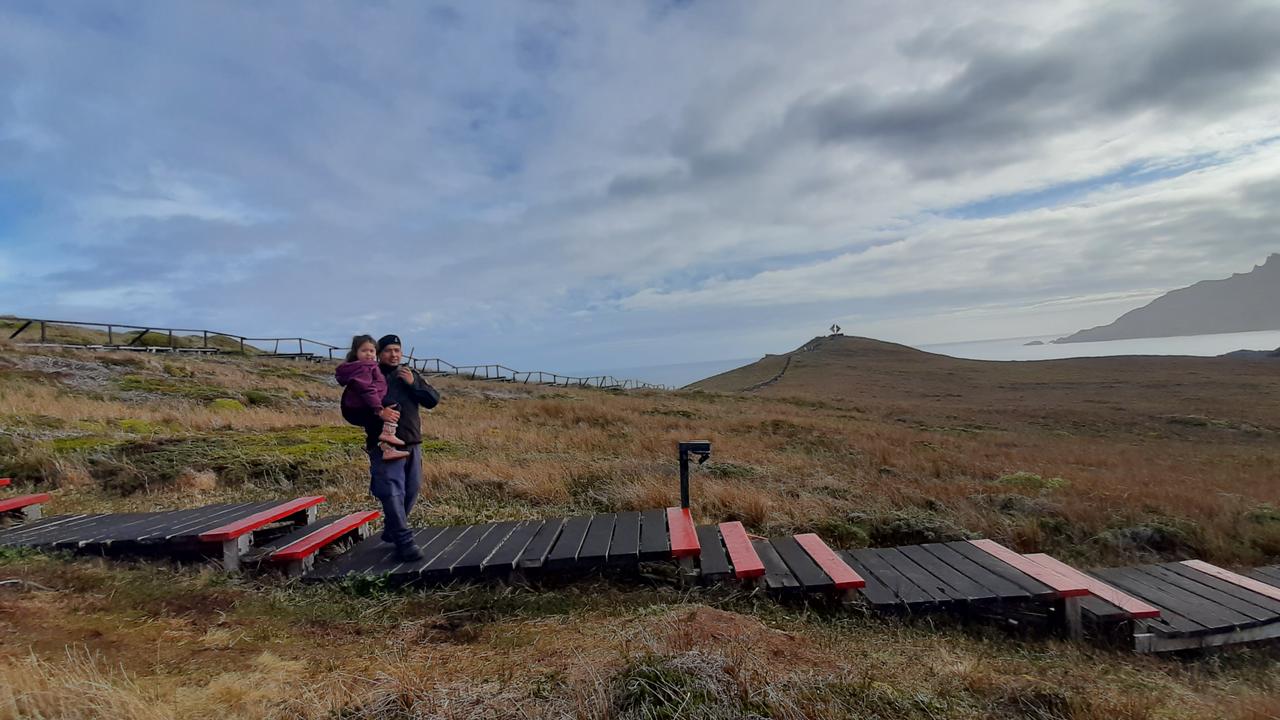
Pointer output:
x,y
1004,349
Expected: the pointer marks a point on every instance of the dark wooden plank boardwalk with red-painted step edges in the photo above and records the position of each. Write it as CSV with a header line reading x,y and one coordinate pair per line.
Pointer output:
x,y
1158,608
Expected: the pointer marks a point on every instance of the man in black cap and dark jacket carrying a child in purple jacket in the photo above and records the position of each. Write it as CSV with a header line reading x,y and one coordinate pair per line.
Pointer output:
x,y
396,482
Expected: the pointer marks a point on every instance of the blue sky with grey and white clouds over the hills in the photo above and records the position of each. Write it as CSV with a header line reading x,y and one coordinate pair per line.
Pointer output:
x,y
560,185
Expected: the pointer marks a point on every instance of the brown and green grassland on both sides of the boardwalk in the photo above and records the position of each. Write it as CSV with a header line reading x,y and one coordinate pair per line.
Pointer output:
x,y
894,459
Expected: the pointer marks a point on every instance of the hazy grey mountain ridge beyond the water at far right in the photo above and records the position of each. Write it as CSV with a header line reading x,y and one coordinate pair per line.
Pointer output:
x,y
1242,303
